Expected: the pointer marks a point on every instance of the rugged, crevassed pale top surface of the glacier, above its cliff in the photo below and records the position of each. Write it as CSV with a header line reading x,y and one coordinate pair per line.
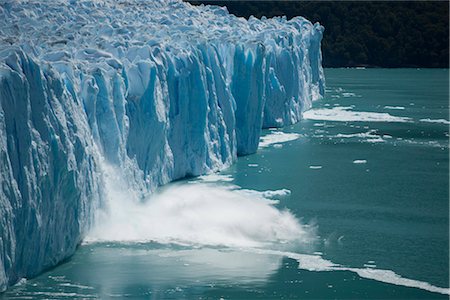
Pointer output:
x,y
111,32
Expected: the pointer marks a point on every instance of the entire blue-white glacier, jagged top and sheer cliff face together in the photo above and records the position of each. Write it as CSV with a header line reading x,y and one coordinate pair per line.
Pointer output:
x,y
159,90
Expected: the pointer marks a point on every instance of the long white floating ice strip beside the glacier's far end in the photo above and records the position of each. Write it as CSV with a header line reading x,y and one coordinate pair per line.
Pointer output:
x,y
345,114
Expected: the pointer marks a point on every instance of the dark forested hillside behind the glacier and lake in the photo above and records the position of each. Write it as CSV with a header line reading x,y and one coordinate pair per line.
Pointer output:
x,y
367,33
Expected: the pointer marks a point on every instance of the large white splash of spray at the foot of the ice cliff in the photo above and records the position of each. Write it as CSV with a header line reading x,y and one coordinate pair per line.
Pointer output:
x,y
199,214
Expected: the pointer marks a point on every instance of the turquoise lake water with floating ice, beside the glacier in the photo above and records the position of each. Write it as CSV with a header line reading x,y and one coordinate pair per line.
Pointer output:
x,y
368,178
